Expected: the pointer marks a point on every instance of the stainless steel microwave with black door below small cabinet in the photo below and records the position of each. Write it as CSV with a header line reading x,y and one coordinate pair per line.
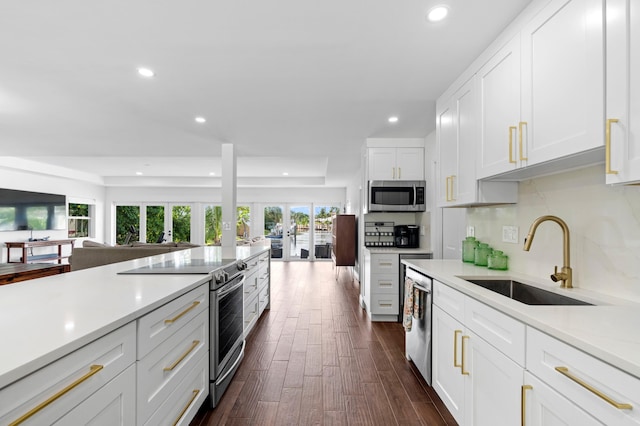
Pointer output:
x,y
397,196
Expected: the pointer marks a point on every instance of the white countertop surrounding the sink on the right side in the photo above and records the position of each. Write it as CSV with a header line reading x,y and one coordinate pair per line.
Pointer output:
x,y
608,331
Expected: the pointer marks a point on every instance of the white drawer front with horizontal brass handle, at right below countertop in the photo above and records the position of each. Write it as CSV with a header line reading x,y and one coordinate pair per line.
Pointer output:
x,y
545,353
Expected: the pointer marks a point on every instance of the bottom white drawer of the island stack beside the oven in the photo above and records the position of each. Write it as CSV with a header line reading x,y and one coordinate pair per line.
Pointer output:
x,y
186,397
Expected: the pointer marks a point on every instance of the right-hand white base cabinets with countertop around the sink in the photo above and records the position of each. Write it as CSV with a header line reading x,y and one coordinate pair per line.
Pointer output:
x,y
576,363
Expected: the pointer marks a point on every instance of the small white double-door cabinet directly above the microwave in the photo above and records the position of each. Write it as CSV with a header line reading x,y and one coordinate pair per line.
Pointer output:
x,y
397,163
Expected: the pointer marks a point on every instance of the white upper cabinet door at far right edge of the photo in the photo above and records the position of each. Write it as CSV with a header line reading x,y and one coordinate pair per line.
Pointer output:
x,y
623,92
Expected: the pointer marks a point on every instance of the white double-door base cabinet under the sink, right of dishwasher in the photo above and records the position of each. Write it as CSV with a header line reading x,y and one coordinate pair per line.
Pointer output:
x,y
479,384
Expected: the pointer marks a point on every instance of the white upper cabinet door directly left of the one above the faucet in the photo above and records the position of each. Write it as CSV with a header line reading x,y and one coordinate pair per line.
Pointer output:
x,y
499,92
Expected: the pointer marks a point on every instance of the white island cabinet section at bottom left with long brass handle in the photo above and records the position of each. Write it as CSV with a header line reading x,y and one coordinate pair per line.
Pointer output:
x,y
57,390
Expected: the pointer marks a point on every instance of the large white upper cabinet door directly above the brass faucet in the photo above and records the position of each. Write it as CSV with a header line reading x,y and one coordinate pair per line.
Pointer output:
x,y
562,80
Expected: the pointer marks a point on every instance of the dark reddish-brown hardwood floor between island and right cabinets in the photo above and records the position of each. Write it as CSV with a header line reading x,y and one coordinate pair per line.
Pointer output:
x,y
315,358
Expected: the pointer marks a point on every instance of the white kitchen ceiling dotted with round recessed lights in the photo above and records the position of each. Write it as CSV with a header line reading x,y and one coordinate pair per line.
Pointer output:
x,y
295,85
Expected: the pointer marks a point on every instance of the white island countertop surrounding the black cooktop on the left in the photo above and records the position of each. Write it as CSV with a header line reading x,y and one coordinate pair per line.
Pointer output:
x,y
44,319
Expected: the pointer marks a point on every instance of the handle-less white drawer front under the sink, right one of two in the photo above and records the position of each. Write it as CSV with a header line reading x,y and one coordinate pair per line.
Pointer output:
x,y
501,331
